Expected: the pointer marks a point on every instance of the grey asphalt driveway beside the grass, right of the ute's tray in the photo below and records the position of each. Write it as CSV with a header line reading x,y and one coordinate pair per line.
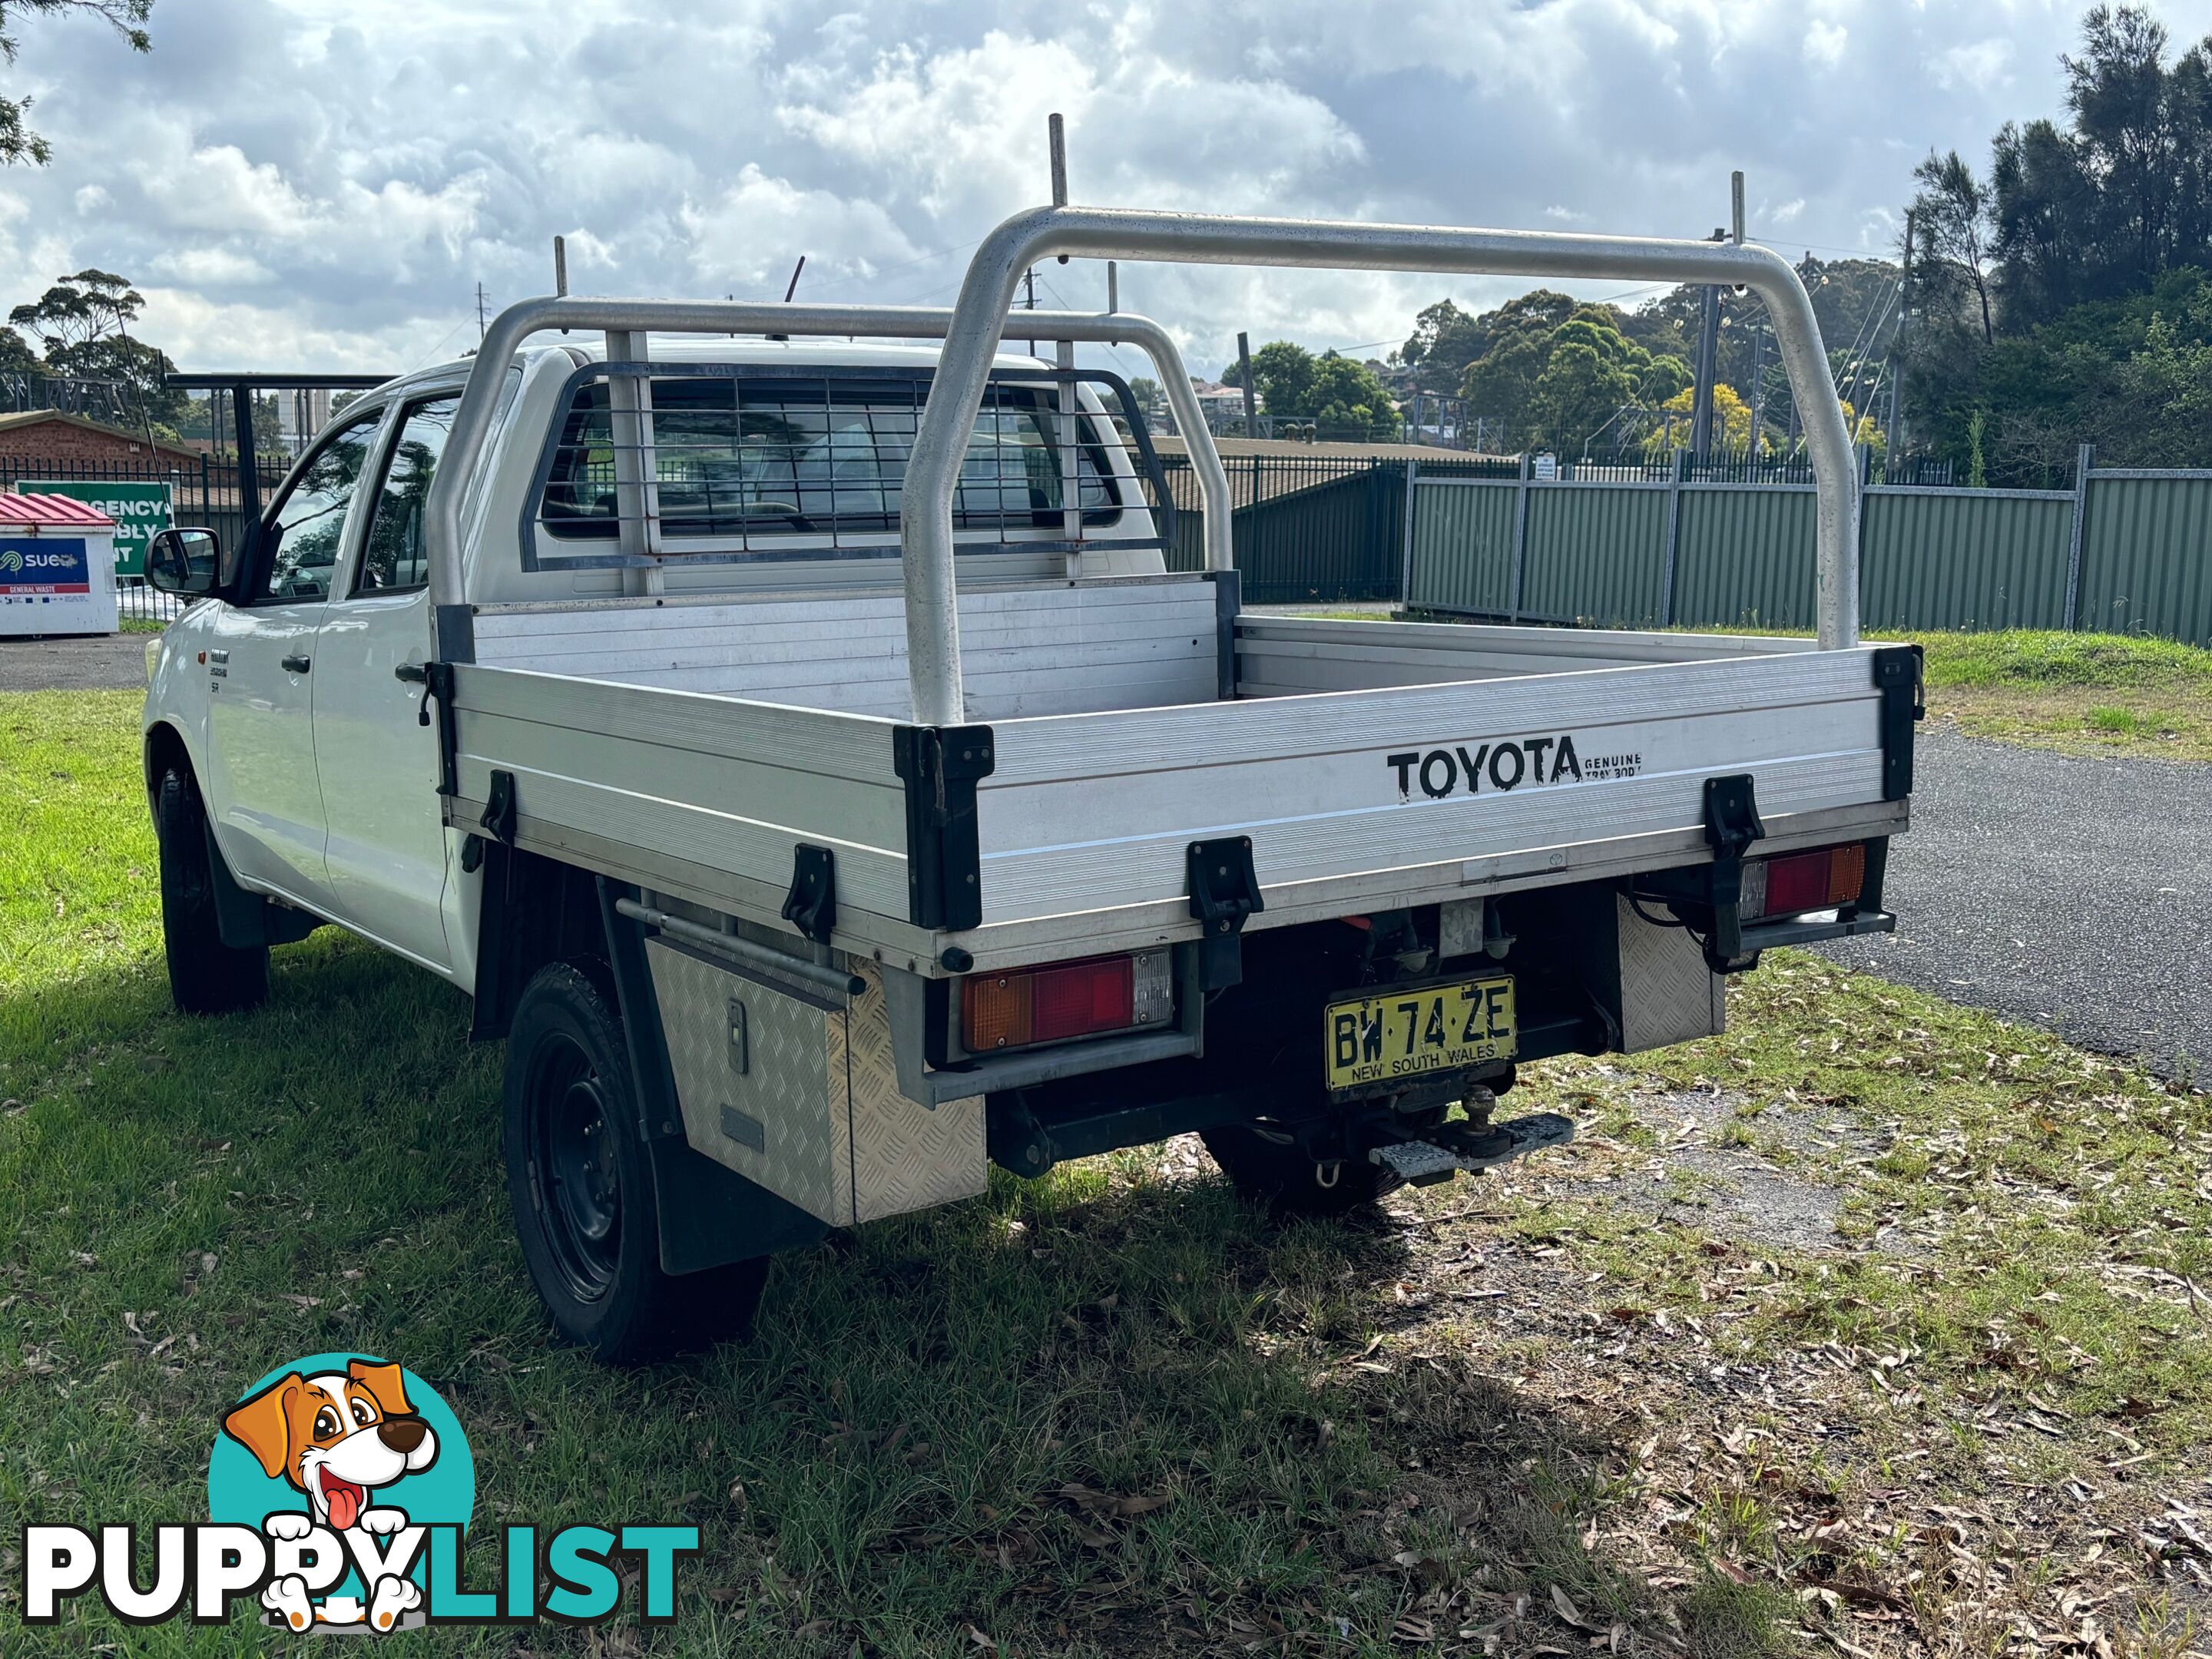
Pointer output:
x,y
2067,893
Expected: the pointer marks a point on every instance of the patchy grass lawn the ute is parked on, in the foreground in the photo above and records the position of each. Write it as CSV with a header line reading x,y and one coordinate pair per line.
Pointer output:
x,y
1872,1328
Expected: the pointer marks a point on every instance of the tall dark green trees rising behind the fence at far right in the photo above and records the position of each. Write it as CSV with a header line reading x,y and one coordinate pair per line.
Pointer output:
x,y
2065,293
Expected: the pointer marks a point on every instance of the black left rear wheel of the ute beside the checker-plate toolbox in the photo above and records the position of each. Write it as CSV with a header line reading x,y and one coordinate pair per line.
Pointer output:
x,y
583,1189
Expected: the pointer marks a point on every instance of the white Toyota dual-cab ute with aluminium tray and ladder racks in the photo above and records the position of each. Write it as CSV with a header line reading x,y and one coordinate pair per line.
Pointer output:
x,y
802,751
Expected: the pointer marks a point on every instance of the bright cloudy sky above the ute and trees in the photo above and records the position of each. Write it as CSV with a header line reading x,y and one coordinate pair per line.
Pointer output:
x,y
317,185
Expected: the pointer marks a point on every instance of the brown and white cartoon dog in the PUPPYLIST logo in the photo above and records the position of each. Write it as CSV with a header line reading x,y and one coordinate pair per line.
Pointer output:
x,y
337,1437
